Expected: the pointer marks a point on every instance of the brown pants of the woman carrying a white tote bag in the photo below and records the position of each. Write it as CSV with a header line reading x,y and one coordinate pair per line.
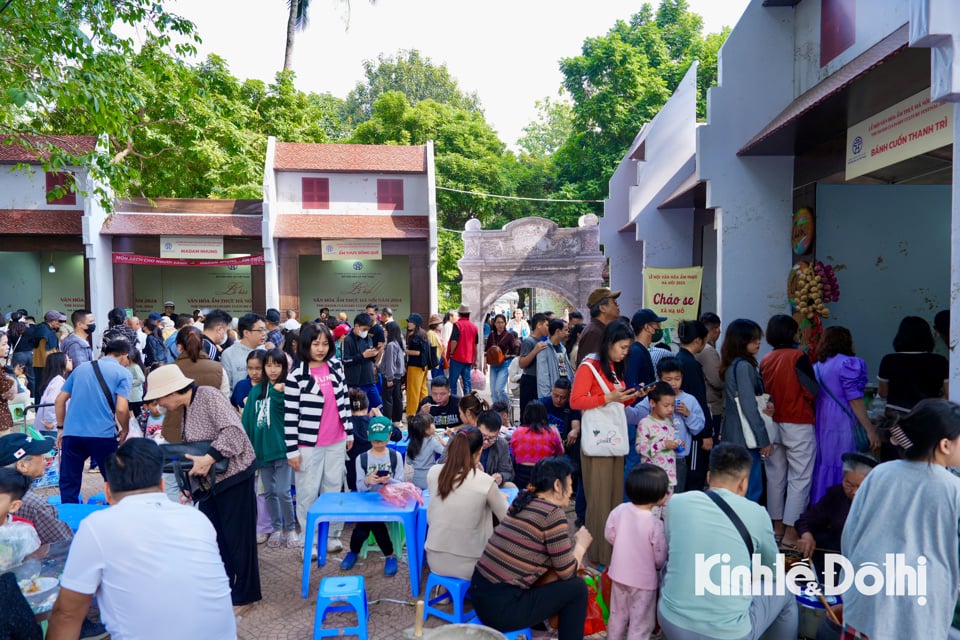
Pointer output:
x,y
603,487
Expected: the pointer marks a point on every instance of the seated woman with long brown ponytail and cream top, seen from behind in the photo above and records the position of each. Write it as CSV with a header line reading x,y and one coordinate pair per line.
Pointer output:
x,y
464,501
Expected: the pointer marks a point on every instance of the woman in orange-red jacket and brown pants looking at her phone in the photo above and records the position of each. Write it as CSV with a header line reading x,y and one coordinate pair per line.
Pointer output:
x,y
603,476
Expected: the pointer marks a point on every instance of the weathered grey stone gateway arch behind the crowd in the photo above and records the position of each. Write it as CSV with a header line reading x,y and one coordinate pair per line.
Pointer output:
x,y
530,252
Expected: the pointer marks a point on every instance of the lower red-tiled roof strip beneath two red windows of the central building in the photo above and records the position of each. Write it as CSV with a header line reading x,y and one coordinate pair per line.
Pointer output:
x,y
311,225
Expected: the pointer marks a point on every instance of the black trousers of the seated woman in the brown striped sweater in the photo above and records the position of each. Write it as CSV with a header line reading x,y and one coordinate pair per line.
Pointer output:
x,y
508,608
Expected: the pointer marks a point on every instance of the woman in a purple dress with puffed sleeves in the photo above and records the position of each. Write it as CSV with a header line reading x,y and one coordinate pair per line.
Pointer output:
x,y
842,377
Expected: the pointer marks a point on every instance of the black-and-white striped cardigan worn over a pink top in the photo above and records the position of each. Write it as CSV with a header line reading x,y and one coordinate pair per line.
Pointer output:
x,y
304,405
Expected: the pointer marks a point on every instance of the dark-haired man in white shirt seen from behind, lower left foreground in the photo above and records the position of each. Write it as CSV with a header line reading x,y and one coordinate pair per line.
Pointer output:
x,y
153,565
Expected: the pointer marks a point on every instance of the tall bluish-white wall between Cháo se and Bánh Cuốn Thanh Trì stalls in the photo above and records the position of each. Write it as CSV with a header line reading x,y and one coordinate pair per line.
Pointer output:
x,y
751,195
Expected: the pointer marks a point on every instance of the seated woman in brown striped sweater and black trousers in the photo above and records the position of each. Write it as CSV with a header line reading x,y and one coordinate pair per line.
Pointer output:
x,y
508,588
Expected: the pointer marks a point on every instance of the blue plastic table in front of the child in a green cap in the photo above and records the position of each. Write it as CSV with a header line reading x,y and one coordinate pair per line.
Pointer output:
x,y
358,507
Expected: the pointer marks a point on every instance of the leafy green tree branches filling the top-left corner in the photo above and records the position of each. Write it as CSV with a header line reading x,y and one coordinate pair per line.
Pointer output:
x,y
69,55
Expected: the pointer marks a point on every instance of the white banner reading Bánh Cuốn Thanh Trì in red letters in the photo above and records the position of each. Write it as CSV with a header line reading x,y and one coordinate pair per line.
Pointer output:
x,y
907,129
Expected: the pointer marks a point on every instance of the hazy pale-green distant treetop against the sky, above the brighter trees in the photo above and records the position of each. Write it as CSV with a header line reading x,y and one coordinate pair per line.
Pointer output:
x,y
417,77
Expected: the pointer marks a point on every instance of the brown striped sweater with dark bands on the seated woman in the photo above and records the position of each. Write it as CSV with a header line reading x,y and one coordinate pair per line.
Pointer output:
x,y
524,546
